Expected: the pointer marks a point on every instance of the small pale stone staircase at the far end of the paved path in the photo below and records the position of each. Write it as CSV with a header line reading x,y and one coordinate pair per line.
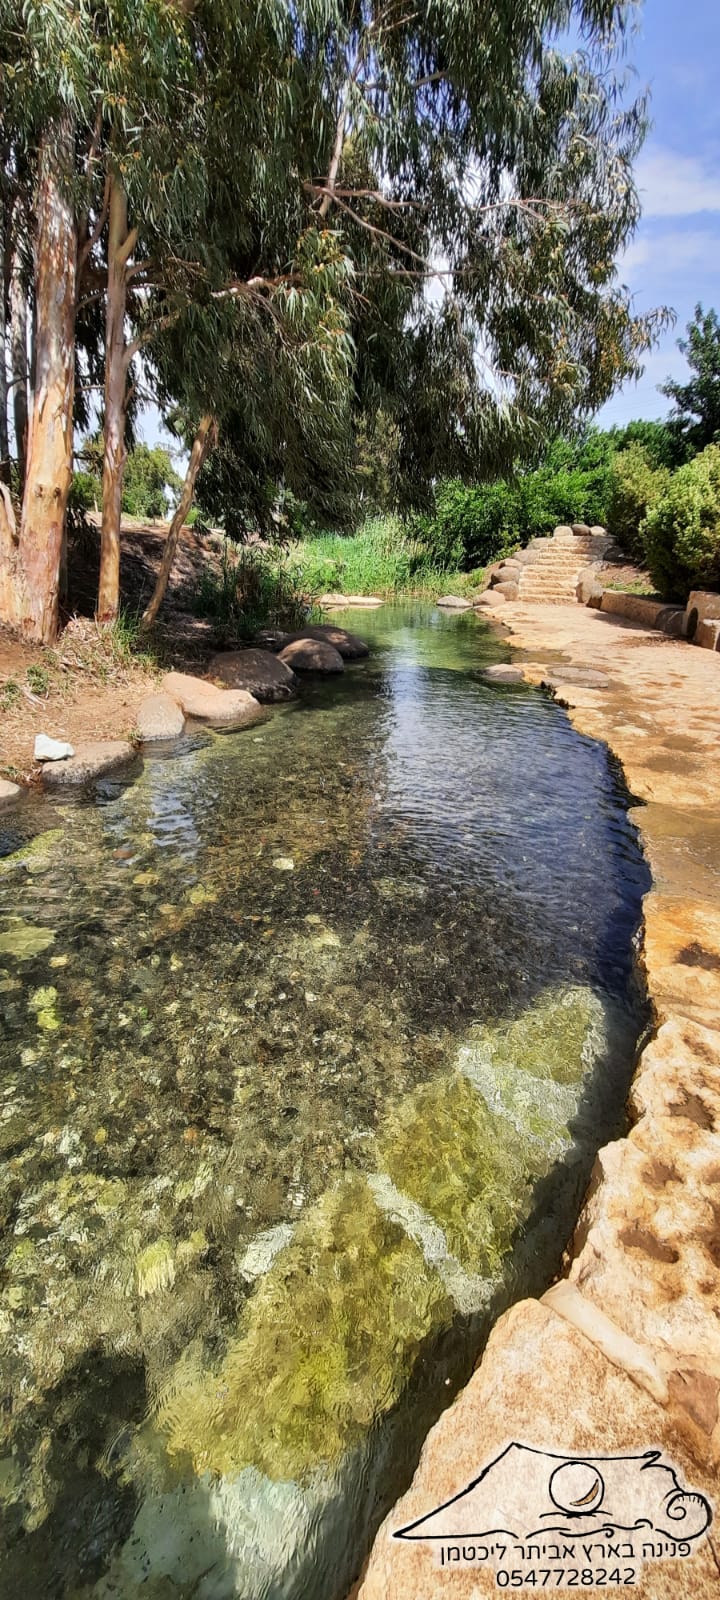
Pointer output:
x,y
548,570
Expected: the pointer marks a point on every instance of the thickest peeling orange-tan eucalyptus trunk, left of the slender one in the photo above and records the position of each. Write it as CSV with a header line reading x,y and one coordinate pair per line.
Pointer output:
x,y
50,436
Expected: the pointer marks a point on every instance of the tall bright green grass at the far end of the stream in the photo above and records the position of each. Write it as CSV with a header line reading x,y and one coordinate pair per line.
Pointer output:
x,y
383,558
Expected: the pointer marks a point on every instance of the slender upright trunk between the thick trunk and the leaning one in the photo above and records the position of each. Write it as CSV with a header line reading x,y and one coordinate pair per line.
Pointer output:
x,y
116,402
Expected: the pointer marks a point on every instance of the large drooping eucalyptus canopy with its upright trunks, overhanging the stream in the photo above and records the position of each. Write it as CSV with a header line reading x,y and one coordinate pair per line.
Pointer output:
x,y
294,220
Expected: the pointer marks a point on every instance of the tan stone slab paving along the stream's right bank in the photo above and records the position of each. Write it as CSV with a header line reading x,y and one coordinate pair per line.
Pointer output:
x,y
625,1353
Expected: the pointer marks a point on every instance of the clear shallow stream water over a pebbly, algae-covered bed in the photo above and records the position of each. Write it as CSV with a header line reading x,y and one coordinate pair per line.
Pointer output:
x,y
308,1042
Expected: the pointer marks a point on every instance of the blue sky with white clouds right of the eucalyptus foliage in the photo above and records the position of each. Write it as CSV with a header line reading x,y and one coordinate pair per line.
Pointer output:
x,y
674,258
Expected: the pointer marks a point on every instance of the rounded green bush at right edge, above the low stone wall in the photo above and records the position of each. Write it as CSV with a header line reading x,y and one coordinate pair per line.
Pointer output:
x,y
682,532
